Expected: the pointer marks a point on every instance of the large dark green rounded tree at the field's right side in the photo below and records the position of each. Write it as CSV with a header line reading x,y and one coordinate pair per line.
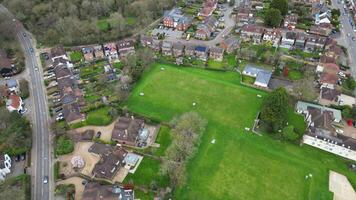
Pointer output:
x,y
274,109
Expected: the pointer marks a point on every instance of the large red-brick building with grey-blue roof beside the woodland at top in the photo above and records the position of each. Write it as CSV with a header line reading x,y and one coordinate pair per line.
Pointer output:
x,y
175,19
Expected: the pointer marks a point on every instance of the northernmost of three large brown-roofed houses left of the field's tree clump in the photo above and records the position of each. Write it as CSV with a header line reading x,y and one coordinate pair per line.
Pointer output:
x,y
130,131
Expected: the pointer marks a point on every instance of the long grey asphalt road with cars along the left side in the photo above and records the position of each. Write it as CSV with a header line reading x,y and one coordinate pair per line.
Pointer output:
x,y
41,159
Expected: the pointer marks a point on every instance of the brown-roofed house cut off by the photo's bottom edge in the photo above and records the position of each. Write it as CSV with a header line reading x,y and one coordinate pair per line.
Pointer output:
x,y
96,191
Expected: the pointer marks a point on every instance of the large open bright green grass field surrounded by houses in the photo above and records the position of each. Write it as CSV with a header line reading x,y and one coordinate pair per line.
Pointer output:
x,y
240,165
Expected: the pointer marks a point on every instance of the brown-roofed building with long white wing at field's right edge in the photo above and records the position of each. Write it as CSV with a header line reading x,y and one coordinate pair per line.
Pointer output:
x,y
323,130
